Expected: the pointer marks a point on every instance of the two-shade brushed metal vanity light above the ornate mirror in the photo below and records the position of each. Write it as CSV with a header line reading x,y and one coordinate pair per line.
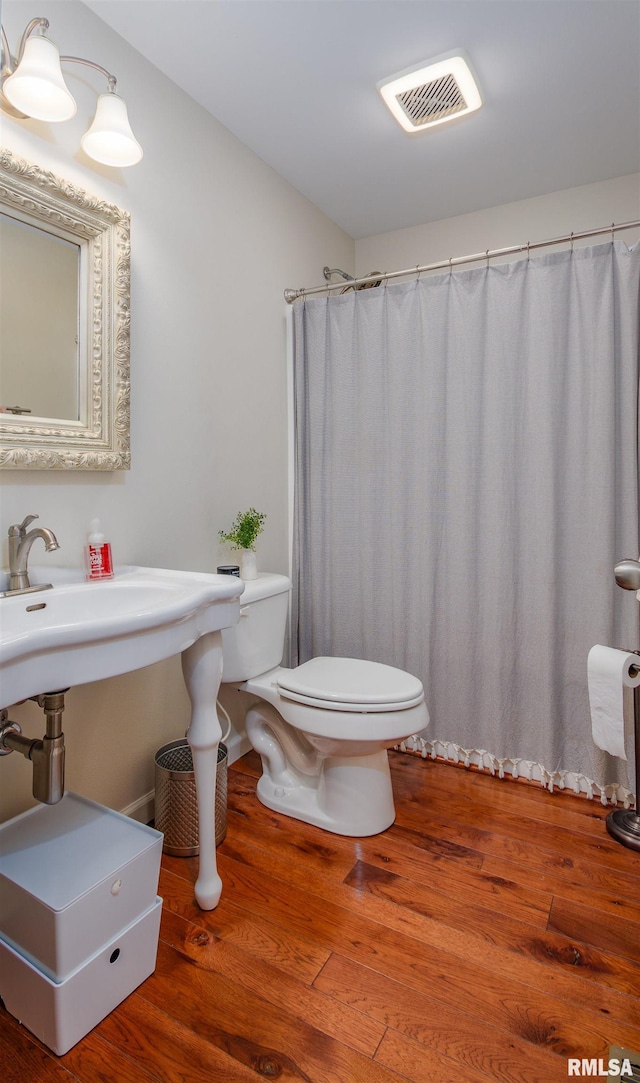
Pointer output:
x,y
33,86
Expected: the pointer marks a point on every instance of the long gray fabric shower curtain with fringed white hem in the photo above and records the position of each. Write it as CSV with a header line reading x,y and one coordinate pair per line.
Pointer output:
x,y
466,479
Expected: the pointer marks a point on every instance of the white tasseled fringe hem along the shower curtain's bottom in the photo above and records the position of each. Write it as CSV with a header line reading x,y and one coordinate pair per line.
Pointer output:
x,y
612,794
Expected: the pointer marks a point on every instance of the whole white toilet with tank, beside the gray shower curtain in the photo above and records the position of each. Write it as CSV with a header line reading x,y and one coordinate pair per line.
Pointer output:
x,y
323,729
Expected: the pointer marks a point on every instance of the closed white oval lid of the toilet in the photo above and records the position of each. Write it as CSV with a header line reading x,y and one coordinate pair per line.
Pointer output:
x,y
350,685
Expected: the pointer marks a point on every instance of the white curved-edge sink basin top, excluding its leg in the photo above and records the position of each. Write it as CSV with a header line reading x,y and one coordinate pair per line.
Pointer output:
x,y
83,632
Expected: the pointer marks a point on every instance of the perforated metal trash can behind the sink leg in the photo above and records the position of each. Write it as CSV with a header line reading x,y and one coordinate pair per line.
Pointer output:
x,y
177,812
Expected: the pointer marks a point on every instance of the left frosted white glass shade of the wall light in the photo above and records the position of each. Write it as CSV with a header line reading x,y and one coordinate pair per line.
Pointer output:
x,y
37,87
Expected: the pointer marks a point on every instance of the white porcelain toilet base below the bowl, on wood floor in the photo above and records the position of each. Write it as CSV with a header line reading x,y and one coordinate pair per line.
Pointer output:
x,y
352,795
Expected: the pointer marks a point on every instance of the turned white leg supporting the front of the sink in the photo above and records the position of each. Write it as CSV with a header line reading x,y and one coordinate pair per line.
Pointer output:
x,y
202,666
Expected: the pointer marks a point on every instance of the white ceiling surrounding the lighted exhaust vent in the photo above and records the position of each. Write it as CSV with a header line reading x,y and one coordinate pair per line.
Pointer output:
x,y
296,82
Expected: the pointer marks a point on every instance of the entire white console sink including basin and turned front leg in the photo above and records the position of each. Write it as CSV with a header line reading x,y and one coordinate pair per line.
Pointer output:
x,y
80,632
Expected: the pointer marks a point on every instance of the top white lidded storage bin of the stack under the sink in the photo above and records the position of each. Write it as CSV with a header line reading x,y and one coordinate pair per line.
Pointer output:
x,y
73,876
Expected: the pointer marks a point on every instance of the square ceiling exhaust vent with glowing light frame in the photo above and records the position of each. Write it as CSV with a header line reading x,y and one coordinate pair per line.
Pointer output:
x,y
437,92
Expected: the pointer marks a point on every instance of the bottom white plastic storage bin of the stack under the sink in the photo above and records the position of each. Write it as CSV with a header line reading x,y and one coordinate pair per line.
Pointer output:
x,y
60,1014
